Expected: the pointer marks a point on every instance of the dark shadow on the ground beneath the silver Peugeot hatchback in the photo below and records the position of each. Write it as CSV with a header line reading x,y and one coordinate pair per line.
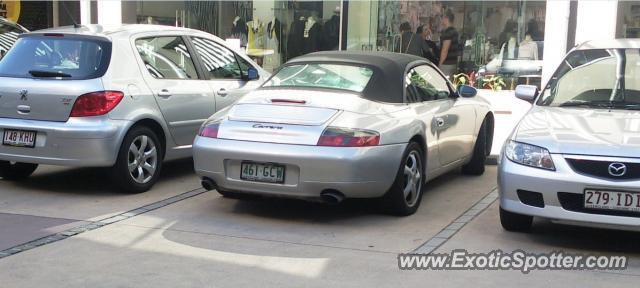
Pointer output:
x,y
93,181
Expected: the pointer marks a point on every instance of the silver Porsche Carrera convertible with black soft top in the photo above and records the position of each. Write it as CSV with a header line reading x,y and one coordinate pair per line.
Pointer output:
x,y
332,125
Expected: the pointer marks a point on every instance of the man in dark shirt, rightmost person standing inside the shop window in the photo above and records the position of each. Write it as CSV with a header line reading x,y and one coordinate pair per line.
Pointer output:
x,y
449,46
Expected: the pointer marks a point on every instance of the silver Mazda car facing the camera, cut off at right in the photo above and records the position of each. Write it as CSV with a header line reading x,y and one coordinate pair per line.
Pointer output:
x,y
575,157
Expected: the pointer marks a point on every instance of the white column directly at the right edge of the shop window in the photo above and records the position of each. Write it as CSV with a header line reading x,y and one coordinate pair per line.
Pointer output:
x,y
555,36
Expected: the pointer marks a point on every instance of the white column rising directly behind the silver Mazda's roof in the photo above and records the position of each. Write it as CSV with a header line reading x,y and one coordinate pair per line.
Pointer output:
x,y
597,20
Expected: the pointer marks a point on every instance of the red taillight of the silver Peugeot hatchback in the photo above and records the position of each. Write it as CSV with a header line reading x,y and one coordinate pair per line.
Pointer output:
x,y
96,103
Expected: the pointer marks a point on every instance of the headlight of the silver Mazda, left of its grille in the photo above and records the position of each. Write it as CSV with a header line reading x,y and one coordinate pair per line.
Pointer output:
x,y
529,155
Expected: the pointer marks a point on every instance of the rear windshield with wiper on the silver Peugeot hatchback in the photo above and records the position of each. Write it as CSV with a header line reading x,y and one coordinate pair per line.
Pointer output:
x,y
56,56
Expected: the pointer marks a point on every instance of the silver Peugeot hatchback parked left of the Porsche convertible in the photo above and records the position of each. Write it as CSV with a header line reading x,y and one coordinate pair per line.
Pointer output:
x,y
126,97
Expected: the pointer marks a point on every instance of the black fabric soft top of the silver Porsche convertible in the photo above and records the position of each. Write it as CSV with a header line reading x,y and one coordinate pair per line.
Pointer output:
x,y
387,82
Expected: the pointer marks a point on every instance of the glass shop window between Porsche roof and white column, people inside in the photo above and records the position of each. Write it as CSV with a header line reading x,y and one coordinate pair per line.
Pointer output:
x,y
490,38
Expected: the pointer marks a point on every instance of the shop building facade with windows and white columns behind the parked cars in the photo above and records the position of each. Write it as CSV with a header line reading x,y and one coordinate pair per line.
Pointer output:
x,y
500,43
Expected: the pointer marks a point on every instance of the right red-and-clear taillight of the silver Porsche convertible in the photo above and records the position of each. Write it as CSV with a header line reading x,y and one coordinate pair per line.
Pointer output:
x,y
344,137
